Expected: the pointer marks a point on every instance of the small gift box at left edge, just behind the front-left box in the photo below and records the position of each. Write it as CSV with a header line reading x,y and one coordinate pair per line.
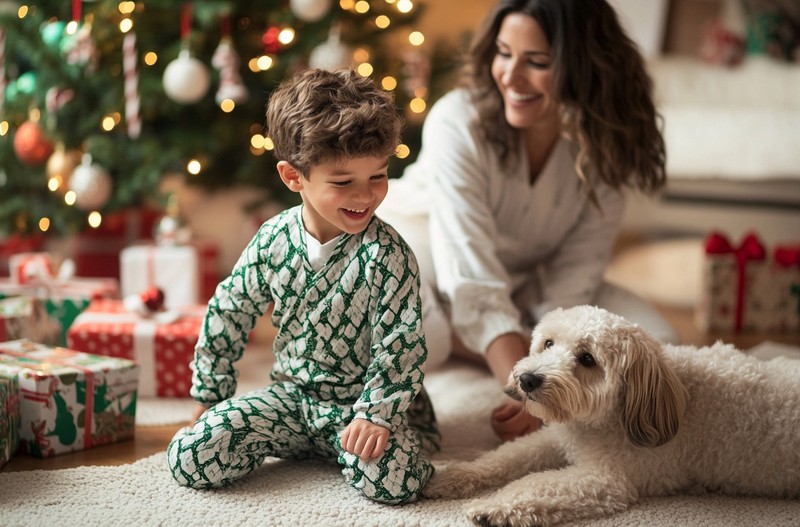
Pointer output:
x,y
26,317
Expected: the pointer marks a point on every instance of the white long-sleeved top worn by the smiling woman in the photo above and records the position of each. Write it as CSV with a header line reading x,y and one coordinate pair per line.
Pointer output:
x,y
494,236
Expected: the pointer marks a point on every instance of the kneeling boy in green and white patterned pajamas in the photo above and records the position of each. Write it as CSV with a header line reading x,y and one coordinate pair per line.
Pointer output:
x,y
347,383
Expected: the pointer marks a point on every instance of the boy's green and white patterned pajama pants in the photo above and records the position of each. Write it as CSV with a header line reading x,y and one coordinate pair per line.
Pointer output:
x,y
232,439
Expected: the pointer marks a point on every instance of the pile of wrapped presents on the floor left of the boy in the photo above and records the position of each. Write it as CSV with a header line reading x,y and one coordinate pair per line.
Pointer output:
x,y
75,353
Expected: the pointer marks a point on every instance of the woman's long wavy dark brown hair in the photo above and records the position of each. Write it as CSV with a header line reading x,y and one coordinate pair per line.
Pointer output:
x,y
601,83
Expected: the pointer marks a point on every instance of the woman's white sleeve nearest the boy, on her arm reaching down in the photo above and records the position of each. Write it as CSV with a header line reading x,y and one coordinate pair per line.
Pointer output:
x,y
469,273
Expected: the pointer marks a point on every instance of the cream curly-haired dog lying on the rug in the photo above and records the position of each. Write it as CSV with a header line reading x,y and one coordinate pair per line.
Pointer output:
x,y
627,416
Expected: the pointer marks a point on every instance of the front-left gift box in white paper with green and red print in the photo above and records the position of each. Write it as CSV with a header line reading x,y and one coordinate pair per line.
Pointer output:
x,y
70,400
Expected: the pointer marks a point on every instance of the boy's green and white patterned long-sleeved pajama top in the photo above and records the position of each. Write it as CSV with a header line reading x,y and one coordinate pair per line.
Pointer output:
x,y
350,333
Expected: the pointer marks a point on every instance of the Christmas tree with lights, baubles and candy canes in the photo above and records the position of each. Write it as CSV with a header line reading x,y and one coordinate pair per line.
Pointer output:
x,y
100,100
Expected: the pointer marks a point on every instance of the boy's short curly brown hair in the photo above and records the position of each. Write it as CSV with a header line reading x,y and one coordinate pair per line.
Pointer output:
x,y
320,116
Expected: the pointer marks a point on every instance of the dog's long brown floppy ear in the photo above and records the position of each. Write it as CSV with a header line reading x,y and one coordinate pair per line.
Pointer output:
x,y
654,399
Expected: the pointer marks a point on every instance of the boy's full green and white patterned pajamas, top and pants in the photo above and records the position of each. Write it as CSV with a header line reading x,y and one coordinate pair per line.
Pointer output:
x,y
349,345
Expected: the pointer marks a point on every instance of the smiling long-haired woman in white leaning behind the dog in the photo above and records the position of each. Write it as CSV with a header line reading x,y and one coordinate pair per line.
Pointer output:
x,y
516,198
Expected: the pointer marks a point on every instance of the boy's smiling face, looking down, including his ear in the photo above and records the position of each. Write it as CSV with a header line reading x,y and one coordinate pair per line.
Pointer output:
x,y
340,196
